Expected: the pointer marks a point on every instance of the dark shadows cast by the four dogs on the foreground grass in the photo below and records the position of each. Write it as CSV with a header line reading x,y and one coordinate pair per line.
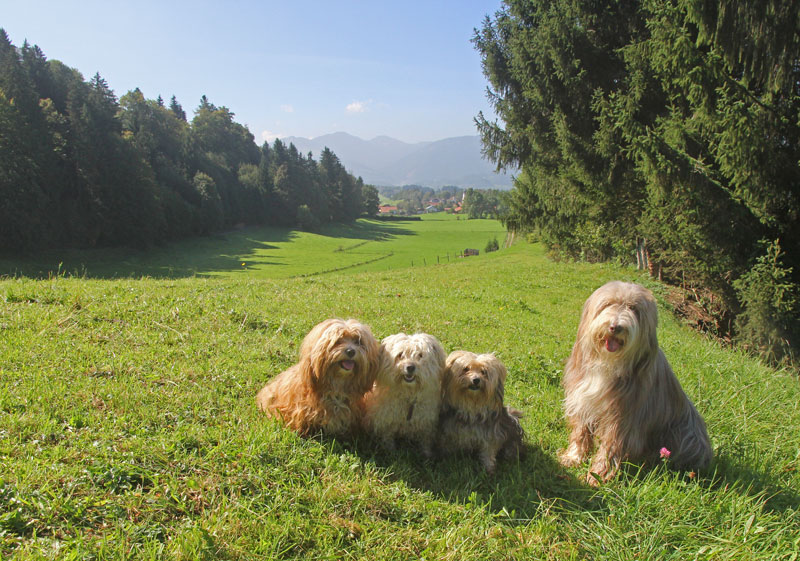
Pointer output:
x,y
521,488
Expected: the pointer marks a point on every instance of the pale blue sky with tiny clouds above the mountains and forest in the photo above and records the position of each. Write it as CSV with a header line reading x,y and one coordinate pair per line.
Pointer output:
x,y
405,69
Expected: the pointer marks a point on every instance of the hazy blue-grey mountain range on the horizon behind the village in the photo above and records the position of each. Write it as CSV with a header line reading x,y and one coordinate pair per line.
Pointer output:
x,y
386,161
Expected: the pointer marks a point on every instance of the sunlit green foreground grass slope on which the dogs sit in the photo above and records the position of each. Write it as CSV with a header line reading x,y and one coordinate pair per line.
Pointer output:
x,y
128,427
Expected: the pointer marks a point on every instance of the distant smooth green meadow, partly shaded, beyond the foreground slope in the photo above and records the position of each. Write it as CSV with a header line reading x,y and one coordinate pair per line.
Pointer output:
x,y
367,245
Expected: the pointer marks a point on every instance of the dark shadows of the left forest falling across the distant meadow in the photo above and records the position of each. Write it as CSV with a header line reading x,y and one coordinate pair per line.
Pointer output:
x,y
223,252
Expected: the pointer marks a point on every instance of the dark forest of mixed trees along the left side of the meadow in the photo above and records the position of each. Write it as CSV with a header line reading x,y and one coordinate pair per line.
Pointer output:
x,y
81,168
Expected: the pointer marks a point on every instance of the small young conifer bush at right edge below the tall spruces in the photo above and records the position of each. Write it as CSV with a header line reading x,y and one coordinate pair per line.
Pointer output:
x,y
768,323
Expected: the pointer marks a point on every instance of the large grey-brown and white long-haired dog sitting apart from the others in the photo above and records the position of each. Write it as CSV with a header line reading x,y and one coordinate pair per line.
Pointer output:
x,y
620,389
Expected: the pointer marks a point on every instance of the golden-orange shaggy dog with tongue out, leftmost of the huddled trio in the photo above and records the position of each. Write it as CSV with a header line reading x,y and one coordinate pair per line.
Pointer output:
x,y
324,390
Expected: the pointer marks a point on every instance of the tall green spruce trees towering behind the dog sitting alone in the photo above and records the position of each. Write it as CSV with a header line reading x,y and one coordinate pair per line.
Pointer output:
x,y
665,130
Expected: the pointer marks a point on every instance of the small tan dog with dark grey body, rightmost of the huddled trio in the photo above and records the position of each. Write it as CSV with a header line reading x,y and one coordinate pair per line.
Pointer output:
x,y
473,417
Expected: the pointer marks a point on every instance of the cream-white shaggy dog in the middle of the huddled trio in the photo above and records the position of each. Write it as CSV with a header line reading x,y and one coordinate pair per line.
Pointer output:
x,y
405,400
